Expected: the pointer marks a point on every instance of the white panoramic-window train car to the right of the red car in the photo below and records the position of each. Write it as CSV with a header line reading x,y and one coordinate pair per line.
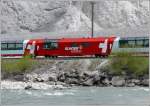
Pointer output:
x,y
136,45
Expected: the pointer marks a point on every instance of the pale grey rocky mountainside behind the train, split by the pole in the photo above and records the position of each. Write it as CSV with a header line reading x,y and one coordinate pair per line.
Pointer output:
x,y
50,16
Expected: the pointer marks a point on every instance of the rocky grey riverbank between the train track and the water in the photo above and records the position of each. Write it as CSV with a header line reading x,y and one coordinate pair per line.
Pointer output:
x,y
84,72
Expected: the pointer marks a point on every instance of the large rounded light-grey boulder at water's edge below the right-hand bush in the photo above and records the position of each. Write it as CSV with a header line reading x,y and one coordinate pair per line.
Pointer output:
x,y
118,81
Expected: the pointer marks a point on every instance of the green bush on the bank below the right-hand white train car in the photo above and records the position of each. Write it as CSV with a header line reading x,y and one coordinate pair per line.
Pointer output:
x,y
126,63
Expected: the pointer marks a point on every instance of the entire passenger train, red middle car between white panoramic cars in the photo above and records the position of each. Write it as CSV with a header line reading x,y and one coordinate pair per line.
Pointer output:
x,y
97,46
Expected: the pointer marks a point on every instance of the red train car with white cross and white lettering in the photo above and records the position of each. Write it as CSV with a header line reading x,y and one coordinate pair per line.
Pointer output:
x,y
100,46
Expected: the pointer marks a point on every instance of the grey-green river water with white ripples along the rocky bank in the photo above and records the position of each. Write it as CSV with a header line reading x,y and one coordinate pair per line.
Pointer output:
x,y
78,96
